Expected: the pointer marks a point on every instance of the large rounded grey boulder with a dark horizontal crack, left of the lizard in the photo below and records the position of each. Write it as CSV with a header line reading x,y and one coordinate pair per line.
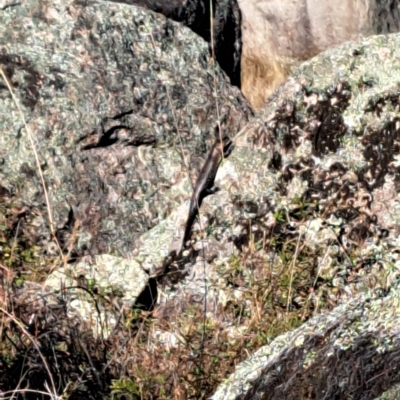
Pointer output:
x,y
112,95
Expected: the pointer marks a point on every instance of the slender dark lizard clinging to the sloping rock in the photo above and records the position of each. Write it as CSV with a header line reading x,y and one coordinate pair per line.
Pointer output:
x,y
205,182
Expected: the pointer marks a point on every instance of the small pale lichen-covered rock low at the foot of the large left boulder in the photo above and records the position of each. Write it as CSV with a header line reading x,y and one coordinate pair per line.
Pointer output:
x,y
97,287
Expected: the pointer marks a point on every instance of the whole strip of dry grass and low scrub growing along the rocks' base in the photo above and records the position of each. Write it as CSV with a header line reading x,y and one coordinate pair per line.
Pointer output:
x,y
176,351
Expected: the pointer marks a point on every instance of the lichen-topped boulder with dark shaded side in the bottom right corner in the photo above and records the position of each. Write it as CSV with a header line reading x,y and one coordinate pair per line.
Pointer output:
x,y
349,352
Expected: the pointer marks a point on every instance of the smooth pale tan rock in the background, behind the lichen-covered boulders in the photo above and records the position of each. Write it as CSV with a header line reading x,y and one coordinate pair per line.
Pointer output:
x,y
279,34
